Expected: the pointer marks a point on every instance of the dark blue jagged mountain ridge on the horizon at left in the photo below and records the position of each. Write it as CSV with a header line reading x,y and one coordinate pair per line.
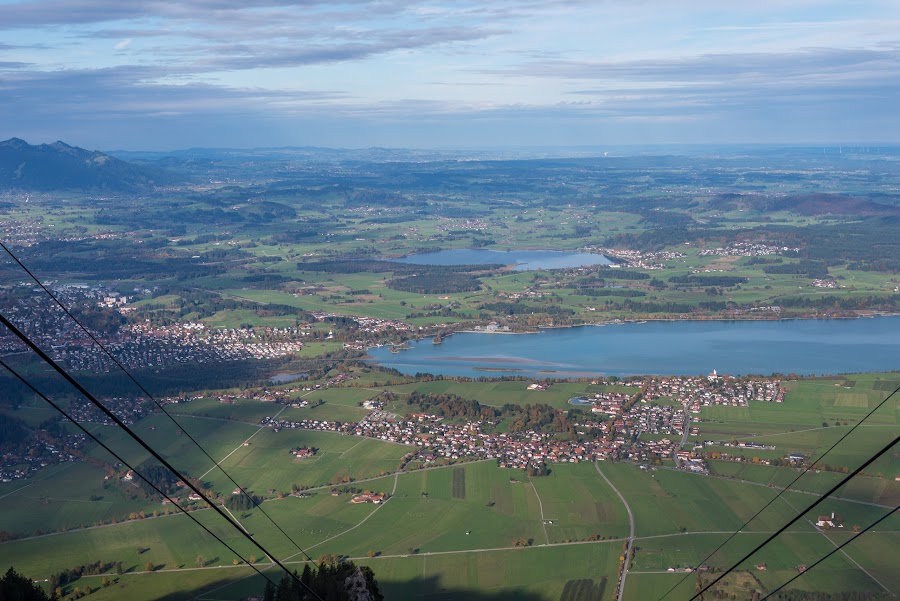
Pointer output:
x,y
59,166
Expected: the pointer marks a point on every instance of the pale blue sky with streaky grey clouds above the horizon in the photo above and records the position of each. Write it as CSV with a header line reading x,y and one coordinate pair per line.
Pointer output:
x,y
163,74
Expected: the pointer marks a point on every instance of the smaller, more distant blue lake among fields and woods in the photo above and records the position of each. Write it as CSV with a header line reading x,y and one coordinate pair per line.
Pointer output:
x,y
524,260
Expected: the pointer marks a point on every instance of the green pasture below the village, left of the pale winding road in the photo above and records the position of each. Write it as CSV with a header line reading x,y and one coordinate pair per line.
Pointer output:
x,y
493,511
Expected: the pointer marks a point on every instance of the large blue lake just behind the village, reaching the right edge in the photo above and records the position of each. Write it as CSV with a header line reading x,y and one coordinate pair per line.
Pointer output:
x,y
672,347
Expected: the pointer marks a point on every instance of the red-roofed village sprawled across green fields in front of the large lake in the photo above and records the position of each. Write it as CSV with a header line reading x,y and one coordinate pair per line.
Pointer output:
x,y
615,431
